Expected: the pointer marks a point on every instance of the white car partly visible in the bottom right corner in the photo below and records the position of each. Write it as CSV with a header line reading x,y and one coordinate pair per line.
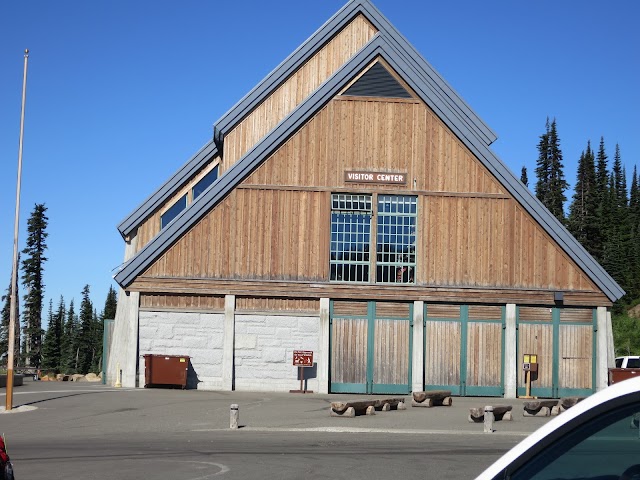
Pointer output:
x,y
597,439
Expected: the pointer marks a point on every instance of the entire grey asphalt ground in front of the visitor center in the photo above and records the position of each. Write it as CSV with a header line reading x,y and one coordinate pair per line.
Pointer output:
x,y
86,430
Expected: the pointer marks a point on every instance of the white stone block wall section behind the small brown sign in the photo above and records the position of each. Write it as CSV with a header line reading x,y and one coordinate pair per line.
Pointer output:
x,y
264,346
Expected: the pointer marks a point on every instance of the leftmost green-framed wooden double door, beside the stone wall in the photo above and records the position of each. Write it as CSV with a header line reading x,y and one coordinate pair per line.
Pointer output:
x,y
370,346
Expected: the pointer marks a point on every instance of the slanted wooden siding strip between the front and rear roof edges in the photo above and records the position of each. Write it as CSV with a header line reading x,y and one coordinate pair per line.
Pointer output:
x,y
297,88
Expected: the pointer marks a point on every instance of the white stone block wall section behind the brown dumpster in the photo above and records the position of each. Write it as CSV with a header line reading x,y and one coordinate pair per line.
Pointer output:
x,y
198,335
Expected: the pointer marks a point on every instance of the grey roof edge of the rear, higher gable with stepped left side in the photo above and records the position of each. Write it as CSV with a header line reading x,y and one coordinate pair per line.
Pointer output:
x,y
455,106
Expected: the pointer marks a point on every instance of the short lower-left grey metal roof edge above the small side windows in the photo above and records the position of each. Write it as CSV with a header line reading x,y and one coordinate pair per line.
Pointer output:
x,y
131,222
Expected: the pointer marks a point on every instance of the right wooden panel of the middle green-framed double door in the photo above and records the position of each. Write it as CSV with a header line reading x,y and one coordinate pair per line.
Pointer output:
x,y
484,354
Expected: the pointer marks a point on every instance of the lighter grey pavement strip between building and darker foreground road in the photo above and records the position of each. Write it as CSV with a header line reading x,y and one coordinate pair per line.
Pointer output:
x,y
77,406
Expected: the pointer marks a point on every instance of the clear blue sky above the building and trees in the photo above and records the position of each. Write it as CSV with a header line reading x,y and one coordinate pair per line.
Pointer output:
x,y
121,93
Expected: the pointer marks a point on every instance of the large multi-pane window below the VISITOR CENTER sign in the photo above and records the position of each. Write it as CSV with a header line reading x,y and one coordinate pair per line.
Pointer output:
x,y
352,237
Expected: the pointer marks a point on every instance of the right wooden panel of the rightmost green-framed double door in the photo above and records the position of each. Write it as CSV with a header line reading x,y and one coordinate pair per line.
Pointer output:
x,y
576,357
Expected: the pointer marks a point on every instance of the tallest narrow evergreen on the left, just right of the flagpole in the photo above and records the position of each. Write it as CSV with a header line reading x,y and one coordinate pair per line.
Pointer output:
x,y
32,269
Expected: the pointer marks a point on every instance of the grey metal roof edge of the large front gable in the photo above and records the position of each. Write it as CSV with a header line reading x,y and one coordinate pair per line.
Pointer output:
x,y
411,73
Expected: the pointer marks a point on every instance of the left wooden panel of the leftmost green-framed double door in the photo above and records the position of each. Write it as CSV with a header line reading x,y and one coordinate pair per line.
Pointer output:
x,y
349,350
